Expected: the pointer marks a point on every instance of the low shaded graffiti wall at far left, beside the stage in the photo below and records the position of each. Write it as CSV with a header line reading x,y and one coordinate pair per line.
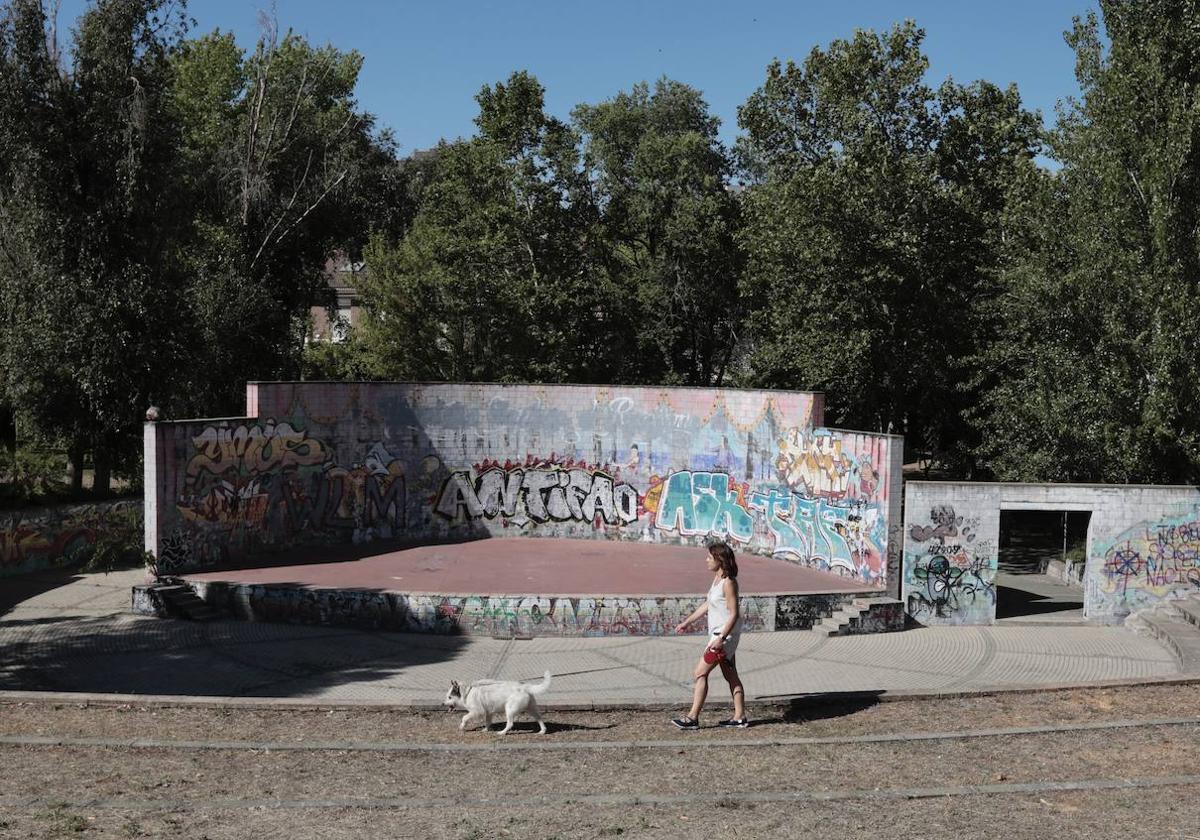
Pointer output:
x,y
44,538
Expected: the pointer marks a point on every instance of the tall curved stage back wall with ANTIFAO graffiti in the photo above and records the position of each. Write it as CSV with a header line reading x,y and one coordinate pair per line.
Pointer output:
x,y
326,464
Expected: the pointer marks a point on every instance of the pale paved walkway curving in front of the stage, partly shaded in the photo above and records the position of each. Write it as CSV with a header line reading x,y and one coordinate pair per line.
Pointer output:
x,y
74,633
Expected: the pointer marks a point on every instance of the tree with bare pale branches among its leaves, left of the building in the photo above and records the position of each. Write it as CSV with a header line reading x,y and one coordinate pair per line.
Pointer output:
x,y
284,170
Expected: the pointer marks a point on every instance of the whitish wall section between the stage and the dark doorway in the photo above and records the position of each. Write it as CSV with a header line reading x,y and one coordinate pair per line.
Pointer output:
x,y
950,556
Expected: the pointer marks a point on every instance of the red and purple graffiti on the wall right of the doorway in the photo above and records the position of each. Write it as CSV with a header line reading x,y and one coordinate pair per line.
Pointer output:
x,y
1153,561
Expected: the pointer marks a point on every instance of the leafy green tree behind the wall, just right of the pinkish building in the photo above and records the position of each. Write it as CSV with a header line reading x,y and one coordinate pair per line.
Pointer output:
x,y
493,280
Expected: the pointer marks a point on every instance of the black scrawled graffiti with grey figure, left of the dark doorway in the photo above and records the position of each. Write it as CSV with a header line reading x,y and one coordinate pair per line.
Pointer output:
x,y
950,574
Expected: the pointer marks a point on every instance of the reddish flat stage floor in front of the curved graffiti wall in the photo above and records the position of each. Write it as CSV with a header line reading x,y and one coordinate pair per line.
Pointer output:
x,y
561,568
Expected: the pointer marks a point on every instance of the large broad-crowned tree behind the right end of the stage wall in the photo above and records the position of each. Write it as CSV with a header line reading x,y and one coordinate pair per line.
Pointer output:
x,y
871,226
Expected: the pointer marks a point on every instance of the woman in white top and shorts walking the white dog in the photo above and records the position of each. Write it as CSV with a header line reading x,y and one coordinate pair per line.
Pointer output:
x,y
724,634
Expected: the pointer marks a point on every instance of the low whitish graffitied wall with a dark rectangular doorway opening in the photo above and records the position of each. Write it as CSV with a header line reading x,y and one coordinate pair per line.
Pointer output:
x,y
1143,547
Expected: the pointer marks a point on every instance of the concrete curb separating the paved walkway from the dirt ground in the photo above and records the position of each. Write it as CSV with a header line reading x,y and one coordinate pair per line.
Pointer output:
x,y
771,701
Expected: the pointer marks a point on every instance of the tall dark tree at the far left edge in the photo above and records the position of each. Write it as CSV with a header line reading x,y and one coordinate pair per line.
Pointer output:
x,y
89,219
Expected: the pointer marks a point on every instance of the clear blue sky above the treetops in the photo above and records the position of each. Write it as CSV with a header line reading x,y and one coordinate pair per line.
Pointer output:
x,y
425,62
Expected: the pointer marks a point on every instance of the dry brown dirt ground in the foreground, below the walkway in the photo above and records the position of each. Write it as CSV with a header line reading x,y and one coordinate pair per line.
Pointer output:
x,y
1141,782
